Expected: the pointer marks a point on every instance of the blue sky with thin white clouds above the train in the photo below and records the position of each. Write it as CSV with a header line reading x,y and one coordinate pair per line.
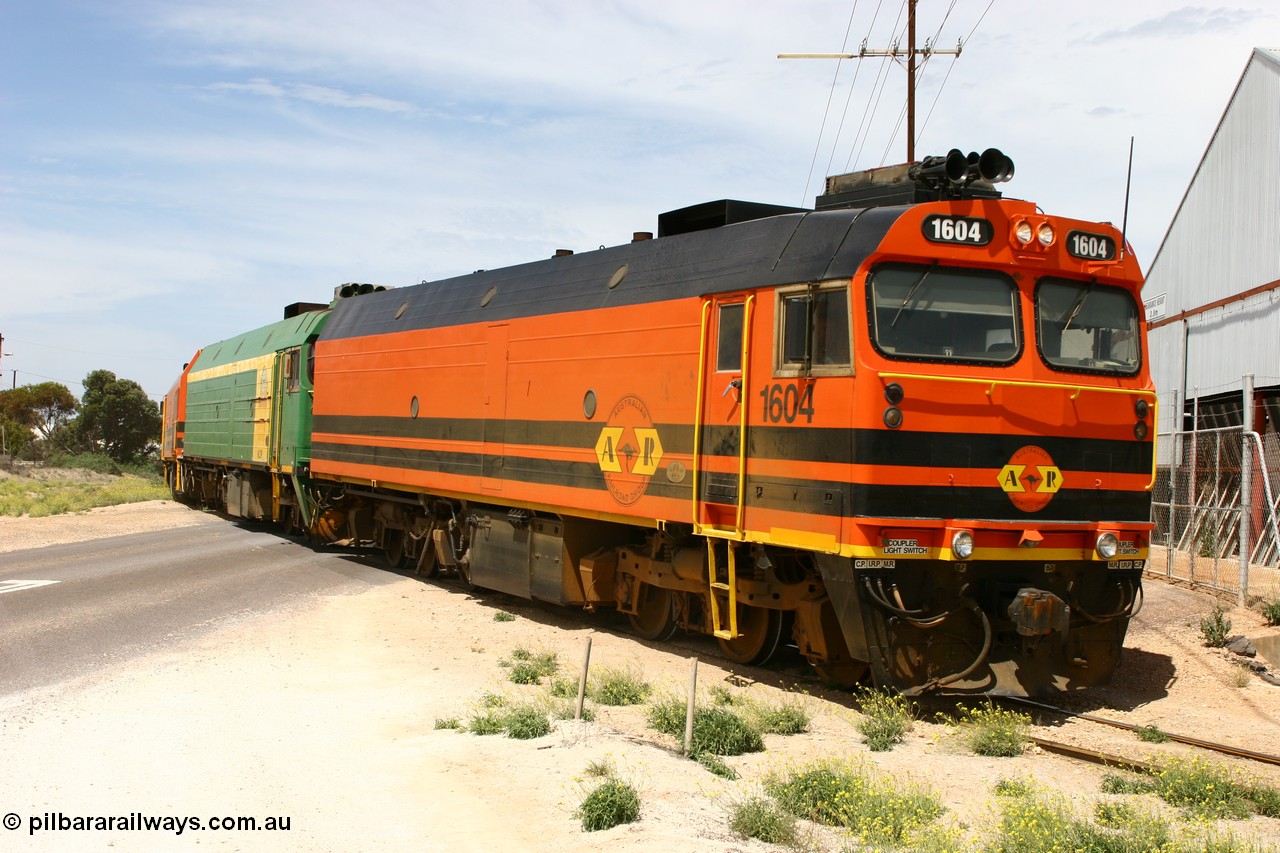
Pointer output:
x,y
175,172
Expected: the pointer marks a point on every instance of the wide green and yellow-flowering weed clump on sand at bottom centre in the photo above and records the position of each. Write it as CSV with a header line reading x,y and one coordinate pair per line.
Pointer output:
x,y
842,795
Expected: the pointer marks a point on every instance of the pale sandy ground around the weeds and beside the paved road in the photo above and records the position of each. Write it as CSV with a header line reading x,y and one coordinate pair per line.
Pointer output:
x,y
326,715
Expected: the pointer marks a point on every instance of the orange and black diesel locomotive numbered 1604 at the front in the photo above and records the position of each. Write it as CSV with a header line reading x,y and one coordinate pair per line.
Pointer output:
x,y
908,432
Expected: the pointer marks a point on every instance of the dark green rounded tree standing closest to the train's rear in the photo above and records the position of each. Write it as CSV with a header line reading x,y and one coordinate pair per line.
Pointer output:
x,y
117,417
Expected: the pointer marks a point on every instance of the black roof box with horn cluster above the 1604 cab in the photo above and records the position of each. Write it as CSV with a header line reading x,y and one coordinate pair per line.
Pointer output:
x,y
954,176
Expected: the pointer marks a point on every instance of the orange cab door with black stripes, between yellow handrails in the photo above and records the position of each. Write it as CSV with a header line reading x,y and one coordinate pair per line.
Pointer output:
x,y
720,440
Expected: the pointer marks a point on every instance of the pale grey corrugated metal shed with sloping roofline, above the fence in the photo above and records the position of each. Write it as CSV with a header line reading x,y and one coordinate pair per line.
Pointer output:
x,y
1223,243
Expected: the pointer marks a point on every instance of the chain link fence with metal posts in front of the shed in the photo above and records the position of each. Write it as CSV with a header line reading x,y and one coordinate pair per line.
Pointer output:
x,y
1213,495
